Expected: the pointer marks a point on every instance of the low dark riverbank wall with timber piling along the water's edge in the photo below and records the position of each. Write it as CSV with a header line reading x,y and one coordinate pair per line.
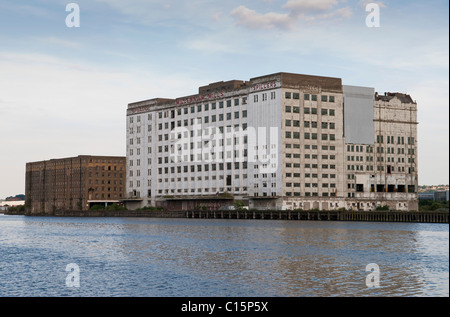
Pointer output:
x,y
367,216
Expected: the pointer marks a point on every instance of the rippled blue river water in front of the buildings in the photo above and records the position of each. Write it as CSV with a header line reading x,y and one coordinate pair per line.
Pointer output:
x,y
148,257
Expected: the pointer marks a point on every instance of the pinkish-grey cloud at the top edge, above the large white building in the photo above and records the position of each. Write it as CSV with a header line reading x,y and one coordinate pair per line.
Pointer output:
x,y
306,10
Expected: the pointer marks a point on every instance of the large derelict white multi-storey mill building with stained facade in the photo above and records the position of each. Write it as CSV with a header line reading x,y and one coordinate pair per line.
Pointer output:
x,y
324,145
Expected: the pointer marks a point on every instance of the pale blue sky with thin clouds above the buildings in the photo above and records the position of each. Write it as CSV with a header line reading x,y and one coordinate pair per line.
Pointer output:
x,y
64,90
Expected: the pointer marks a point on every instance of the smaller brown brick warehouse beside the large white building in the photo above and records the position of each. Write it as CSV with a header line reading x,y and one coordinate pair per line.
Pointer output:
x,y
74,183
